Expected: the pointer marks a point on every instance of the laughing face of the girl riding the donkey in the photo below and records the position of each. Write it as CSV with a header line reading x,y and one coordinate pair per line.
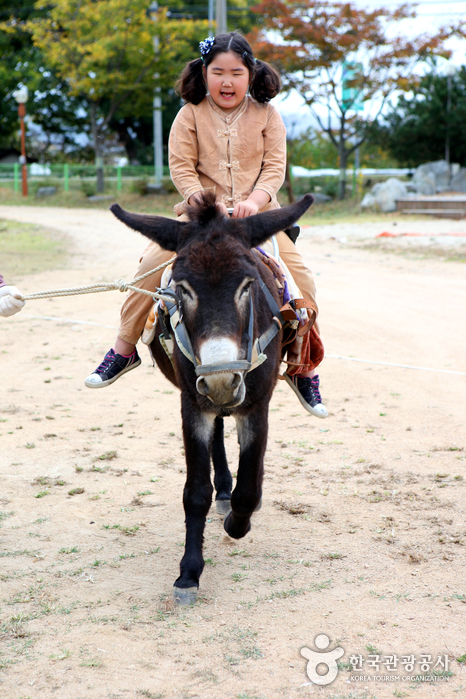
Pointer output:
x,y
227,80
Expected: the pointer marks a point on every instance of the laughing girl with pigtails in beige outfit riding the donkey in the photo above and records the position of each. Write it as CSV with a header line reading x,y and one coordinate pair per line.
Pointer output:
x,y
234,143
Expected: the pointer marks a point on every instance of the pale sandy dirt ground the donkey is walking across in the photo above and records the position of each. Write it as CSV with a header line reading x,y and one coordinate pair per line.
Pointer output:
x,y
362,532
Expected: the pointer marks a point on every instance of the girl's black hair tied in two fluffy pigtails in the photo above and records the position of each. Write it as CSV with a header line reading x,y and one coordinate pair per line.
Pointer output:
x,y
265,81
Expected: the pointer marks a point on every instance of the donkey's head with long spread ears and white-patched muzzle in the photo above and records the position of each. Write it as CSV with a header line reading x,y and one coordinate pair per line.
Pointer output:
x,y
216,278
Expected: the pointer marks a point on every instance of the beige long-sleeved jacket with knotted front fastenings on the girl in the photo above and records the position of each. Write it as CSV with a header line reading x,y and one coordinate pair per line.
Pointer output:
x,y
233,154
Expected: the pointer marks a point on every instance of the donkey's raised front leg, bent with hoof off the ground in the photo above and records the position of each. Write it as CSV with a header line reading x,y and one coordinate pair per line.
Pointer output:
x,y
246,497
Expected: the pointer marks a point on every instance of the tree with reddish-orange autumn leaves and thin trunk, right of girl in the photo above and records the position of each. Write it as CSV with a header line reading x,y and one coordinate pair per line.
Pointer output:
x,y
314,44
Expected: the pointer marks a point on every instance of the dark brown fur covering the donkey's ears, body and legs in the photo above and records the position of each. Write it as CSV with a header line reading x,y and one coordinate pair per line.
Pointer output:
x,y
214,254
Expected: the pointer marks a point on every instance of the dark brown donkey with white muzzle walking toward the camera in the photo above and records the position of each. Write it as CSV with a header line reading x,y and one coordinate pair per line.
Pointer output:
x,y
224,314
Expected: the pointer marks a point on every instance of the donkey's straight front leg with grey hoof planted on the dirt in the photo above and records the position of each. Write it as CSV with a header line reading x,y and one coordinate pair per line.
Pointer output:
x,y
197,496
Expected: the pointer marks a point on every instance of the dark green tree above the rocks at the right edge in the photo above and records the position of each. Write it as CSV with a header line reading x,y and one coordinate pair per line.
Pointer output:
x,y
415,129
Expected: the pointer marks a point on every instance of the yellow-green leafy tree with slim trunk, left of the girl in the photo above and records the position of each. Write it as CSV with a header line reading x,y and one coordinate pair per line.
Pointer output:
x,y
104,51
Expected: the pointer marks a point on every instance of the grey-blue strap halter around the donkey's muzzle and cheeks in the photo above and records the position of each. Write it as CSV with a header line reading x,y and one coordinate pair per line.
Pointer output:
x,y
255,350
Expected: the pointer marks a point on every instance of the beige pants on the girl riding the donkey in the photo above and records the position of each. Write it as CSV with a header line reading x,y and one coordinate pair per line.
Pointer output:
x,y
136,307
